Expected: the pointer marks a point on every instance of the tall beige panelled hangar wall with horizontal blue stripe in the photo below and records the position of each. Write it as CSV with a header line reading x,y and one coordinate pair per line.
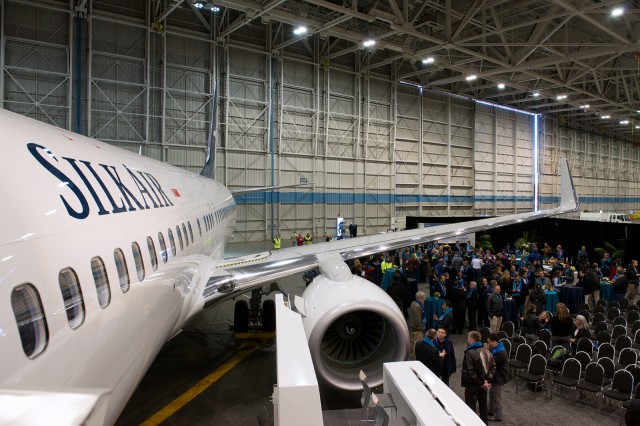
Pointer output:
x,y
376,150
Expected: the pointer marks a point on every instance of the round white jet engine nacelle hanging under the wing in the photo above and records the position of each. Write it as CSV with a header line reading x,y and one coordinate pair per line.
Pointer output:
x,y
351,326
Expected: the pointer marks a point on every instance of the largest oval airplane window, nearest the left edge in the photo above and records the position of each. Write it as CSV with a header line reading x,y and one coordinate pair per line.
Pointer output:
x,y
32,324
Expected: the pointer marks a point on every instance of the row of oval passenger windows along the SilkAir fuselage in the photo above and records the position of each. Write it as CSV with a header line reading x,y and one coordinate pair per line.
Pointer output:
x,y
27,304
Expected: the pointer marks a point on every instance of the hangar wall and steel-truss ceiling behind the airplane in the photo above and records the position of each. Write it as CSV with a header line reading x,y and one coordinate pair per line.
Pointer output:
x,y
391,109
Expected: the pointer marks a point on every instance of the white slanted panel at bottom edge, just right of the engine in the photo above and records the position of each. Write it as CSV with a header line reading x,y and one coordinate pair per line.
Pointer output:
x,y
418,403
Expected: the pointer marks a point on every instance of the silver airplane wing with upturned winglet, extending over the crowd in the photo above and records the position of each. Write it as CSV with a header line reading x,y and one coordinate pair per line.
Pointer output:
x,y
238,275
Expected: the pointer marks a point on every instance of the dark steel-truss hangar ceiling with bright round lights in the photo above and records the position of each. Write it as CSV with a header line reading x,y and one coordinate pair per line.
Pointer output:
x,y
540,50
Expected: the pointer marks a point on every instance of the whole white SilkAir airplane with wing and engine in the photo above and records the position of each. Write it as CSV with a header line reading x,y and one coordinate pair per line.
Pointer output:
x,y
105,255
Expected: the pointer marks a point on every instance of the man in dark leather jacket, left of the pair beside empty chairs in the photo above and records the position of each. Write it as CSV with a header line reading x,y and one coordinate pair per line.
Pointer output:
x,y
478,369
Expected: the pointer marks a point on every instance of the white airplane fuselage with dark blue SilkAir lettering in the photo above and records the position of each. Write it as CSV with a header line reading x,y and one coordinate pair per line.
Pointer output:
x,y
68,199
